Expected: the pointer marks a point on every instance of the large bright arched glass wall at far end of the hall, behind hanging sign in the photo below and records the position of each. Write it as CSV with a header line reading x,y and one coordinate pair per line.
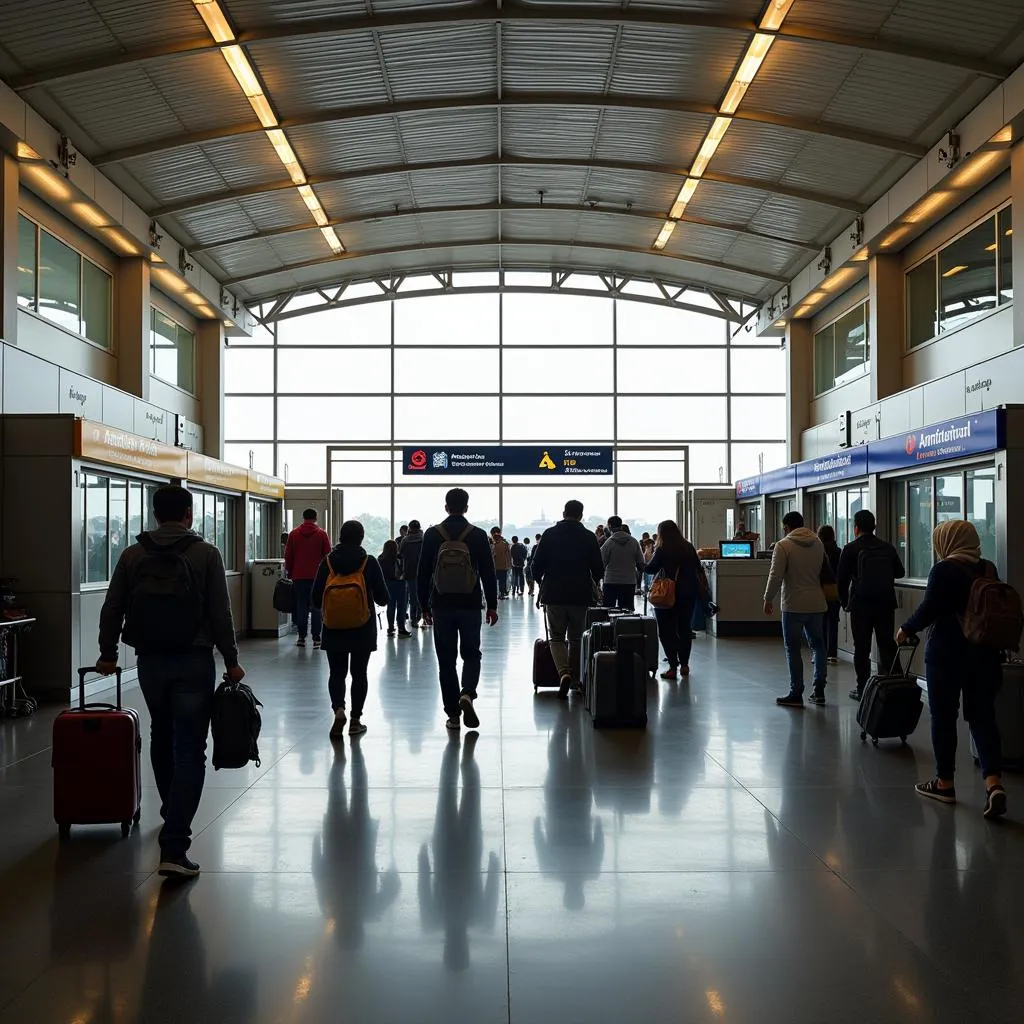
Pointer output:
x,y
506,369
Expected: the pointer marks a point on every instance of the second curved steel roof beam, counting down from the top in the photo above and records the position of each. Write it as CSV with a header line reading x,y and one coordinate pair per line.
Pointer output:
x,y
541,101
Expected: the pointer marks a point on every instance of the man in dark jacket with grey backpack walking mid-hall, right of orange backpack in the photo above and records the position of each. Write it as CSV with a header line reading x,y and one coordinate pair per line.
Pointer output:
x,y
455,567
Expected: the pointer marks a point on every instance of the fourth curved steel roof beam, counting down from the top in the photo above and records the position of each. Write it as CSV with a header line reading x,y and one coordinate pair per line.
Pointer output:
x,y
654,216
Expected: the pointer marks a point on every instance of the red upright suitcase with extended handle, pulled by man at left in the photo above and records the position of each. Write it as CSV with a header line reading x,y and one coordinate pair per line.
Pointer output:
x,y
98,764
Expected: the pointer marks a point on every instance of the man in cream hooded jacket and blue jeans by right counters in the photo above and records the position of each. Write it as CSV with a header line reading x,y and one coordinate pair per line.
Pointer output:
x,y
796,570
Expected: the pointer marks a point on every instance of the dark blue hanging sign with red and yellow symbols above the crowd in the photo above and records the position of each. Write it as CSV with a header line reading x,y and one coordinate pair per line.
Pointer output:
x,y
582,460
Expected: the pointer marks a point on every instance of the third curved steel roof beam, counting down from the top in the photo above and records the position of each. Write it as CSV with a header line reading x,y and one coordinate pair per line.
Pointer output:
x,y
285,185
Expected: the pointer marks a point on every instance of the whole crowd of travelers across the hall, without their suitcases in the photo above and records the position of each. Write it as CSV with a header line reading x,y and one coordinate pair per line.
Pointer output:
x,y
452,578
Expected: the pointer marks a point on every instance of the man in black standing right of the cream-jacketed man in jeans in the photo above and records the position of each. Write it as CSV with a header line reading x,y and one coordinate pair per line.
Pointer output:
x,y
868,573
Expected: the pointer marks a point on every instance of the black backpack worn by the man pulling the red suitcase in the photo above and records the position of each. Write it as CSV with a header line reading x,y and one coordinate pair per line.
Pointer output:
x,y
165,601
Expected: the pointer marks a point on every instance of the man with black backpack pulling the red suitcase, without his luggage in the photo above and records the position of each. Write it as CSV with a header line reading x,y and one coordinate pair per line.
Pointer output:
x,y
168,600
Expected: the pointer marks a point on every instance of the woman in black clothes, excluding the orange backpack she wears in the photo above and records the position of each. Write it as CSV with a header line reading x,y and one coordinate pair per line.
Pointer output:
x,y
351,649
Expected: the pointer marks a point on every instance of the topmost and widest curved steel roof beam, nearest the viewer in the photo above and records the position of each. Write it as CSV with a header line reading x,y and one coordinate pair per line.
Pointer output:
x,y
488,12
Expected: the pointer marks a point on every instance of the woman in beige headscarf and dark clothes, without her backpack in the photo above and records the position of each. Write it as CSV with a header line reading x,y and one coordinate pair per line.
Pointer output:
x,y
955,666
